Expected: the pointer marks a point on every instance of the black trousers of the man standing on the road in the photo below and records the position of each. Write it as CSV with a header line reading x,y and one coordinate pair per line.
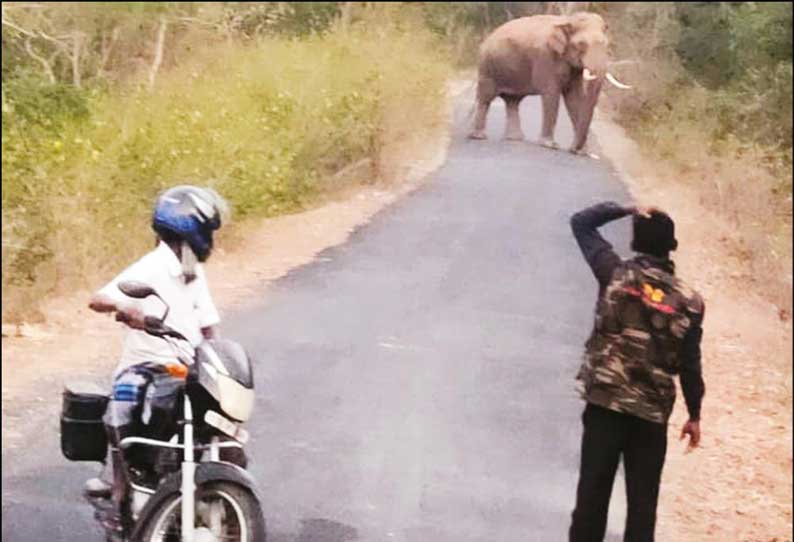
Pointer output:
x,y
608,435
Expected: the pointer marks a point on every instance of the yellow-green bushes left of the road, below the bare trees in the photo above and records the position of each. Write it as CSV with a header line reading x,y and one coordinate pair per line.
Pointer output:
x,y
266,123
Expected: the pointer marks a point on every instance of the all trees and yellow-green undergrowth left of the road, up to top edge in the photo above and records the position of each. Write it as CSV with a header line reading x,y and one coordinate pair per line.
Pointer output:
x,y
265,103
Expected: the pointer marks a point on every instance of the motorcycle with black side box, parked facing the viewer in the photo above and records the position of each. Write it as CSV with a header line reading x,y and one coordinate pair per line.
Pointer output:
x,y
198,497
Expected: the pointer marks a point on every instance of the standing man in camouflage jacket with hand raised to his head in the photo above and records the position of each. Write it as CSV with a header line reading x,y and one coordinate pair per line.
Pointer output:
x,y
647,329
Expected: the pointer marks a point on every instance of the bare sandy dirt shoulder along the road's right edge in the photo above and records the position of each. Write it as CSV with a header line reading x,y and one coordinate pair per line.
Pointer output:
x,y
737,485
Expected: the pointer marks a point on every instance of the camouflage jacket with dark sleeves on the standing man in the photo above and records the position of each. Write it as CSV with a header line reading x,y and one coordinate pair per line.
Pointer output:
x,y
647,329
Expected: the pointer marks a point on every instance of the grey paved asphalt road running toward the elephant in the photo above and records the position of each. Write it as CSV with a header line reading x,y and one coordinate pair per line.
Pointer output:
x,y
415,383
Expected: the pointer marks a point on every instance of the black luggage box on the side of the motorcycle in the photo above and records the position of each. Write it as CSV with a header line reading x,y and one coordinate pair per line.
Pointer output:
x,y
83,436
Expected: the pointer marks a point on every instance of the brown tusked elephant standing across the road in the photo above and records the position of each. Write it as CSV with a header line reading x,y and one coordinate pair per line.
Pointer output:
x,y
546,55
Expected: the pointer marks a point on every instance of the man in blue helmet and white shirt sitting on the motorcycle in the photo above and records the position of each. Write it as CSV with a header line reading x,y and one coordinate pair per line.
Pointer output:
x,y
184,220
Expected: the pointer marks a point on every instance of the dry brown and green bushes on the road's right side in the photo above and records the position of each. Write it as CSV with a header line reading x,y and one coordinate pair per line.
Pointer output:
x,y
712,99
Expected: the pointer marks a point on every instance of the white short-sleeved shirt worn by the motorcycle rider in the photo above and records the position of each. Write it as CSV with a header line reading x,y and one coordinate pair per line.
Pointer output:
x,y
191,307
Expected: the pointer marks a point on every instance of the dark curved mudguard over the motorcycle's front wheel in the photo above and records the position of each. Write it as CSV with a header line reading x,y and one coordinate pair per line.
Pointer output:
x,y
215,471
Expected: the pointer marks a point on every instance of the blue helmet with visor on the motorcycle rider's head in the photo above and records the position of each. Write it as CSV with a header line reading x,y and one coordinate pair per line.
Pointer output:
x,y
191,214
